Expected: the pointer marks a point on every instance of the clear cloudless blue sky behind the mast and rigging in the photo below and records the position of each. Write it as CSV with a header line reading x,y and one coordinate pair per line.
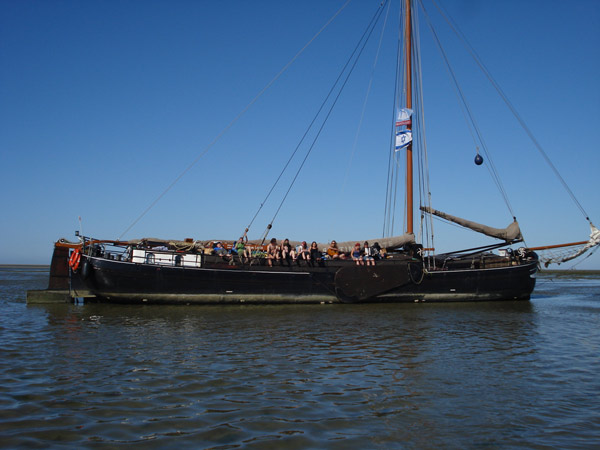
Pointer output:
x,y
103,104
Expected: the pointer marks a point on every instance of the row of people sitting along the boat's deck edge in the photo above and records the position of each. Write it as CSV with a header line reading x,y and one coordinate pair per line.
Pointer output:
x,y
303,253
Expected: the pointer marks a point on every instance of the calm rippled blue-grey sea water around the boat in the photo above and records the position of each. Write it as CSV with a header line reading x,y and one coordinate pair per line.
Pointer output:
x,y
485,375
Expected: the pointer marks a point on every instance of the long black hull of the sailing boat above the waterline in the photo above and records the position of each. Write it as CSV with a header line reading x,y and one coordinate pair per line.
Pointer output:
x,y
127,282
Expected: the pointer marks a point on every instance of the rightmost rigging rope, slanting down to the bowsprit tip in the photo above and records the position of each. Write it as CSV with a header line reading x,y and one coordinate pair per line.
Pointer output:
x,y
510,106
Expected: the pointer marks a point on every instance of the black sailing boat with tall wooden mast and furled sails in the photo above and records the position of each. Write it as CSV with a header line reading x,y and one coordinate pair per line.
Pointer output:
x,y
403,269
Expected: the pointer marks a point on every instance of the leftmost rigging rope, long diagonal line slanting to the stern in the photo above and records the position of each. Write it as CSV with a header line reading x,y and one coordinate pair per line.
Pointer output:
x,y
240,114
